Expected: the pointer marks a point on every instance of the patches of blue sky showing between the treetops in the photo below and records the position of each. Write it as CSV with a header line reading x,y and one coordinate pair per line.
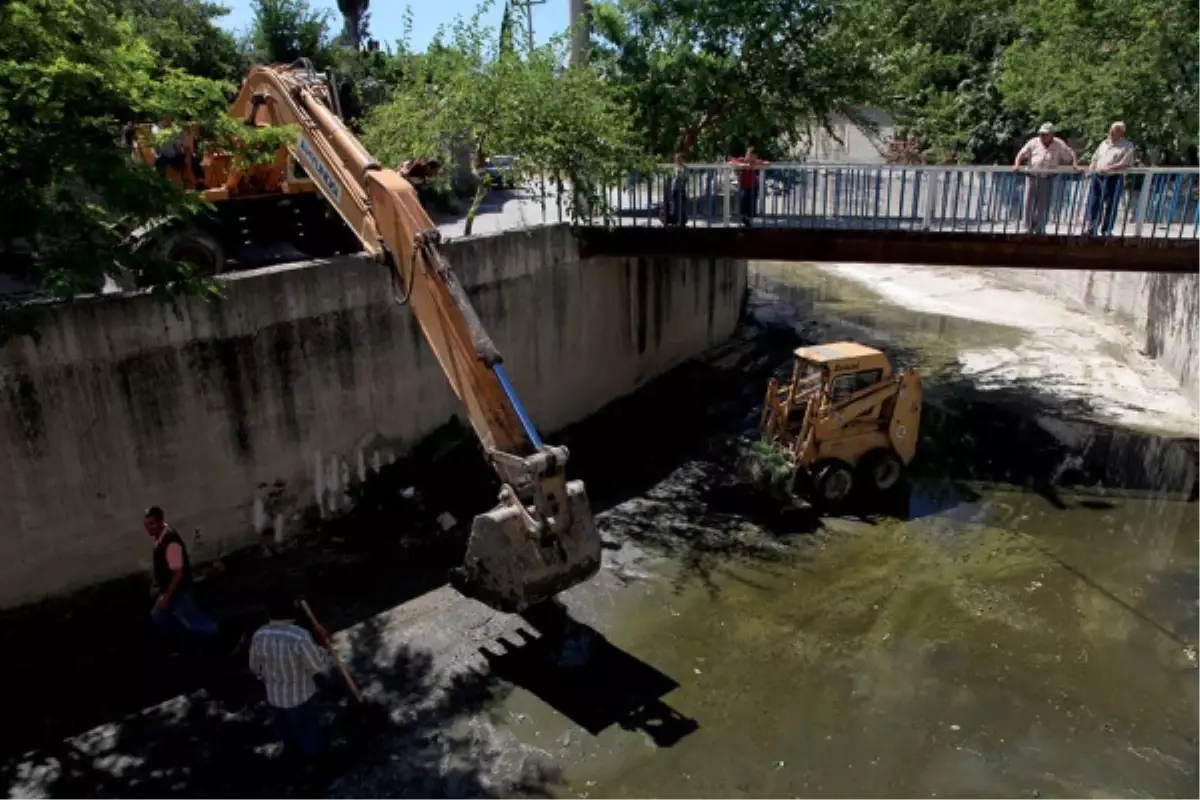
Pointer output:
x,y
388,17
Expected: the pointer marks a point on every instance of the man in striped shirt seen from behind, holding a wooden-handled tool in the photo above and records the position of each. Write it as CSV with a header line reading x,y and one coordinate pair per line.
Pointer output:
x,y
286,659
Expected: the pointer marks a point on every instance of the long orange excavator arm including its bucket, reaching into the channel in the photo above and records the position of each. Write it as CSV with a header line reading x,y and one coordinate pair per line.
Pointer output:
x,y
542,538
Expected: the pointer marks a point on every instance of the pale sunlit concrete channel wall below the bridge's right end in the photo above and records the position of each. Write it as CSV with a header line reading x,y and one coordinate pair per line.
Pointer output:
x,y
1163,310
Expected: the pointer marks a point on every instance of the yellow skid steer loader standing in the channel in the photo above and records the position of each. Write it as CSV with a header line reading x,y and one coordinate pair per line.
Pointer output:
x,y
847,419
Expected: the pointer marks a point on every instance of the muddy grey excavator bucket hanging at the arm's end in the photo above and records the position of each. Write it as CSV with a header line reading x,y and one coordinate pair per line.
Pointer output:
x,y
512,569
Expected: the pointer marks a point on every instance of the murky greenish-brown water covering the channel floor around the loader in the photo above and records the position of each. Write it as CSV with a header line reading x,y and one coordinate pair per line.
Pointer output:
x,y
1023,627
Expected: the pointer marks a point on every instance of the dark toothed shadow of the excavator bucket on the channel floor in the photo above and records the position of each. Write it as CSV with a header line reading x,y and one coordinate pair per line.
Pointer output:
x,y
587,679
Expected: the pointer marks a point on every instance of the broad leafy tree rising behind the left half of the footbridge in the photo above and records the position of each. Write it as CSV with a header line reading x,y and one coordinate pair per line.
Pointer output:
x,y
703,74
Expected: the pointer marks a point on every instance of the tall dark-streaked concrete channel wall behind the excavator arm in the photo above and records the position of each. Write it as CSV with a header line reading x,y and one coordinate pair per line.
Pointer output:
x,y
244,416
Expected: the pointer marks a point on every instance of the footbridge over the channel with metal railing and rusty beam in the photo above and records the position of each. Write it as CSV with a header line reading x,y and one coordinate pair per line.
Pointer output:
x,y
1147,220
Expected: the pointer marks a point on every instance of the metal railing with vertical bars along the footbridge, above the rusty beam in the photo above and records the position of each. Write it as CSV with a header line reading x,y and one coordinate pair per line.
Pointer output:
x,y
1142,203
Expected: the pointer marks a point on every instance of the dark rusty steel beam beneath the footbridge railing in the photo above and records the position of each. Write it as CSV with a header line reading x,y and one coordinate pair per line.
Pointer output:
x,y
1123,255
